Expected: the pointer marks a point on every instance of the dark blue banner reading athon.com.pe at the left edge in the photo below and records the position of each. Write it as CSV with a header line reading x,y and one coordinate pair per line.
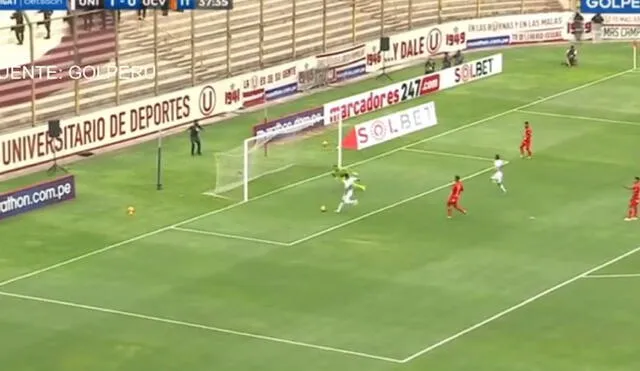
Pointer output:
x,y
37,196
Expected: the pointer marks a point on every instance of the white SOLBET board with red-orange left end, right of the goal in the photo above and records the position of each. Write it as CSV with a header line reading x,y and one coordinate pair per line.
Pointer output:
x,y
396,125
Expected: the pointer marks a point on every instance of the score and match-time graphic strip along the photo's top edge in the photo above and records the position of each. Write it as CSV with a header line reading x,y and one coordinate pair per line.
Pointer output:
x,y
65,5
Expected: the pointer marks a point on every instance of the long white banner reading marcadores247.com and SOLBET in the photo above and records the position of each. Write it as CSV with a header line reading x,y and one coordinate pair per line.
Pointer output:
x,y
373,100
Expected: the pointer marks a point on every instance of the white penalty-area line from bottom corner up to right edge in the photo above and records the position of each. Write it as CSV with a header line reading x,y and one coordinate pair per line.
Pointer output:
x,y
517,306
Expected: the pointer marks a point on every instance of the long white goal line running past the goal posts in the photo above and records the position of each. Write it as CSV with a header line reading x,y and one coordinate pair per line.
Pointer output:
x,y
278,190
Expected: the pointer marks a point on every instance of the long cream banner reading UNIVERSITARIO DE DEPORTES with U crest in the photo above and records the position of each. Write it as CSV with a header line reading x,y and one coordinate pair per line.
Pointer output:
x,y
117,125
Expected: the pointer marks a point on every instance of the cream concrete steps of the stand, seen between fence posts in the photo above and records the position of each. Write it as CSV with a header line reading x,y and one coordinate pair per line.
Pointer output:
x,y
174,45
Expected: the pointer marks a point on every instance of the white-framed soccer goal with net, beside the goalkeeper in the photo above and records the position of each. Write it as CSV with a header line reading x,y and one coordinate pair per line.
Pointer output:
x,y
285,153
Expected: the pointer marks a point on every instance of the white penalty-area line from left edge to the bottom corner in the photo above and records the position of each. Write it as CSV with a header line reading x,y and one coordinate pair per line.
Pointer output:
x,y
198,326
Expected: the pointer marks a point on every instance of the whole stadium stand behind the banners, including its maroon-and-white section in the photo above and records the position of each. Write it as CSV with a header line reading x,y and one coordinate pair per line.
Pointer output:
x,y
187,48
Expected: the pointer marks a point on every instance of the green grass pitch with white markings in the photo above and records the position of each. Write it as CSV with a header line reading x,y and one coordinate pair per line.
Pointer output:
x,y
199,283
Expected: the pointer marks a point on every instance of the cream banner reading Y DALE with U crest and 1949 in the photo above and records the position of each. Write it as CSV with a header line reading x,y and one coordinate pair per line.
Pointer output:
x,y
417,45
